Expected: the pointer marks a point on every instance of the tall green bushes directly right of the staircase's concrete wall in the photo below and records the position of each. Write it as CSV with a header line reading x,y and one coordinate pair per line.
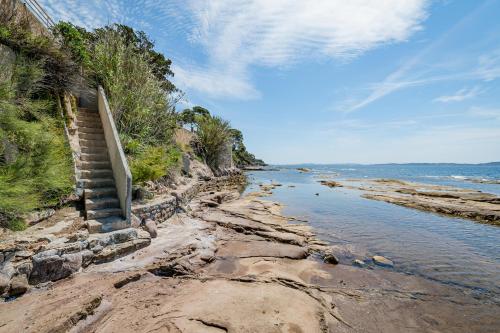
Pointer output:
x,y
141,98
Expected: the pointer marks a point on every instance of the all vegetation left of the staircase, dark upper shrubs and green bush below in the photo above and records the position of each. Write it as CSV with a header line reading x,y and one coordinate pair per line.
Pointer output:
x,y
35,159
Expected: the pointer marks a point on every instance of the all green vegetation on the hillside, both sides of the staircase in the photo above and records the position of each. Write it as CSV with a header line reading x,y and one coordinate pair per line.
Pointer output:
x,y
36,168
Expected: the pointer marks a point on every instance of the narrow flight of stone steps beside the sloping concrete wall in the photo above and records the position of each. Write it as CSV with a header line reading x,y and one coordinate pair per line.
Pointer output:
x,y
102,206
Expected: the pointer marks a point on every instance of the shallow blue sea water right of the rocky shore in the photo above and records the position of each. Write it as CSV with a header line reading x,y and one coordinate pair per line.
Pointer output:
x,y
454,251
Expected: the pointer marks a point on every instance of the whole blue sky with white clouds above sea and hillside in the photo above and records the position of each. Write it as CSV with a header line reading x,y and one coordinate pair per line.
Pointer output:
x,y
330,81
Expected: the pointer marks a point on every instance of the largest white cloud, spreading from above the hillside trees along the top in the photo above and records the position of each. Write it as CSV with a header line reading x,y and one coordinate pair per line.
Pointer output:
x,y
237,34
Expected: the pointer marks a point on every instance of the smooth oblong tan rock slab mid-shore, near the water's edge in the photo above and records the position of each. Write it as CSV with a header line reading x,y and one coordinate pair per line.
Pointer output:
x,y
244,249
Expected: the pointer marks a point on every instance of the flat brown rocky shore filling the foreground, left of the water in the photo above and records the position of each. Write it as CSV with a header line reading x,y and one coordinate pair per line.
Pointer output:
x,y
227,263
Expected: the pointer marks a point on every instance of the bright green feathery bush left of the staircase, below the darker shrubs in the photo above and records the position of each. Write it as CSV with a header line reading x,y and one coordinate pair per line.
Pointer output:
x,y
35,160
